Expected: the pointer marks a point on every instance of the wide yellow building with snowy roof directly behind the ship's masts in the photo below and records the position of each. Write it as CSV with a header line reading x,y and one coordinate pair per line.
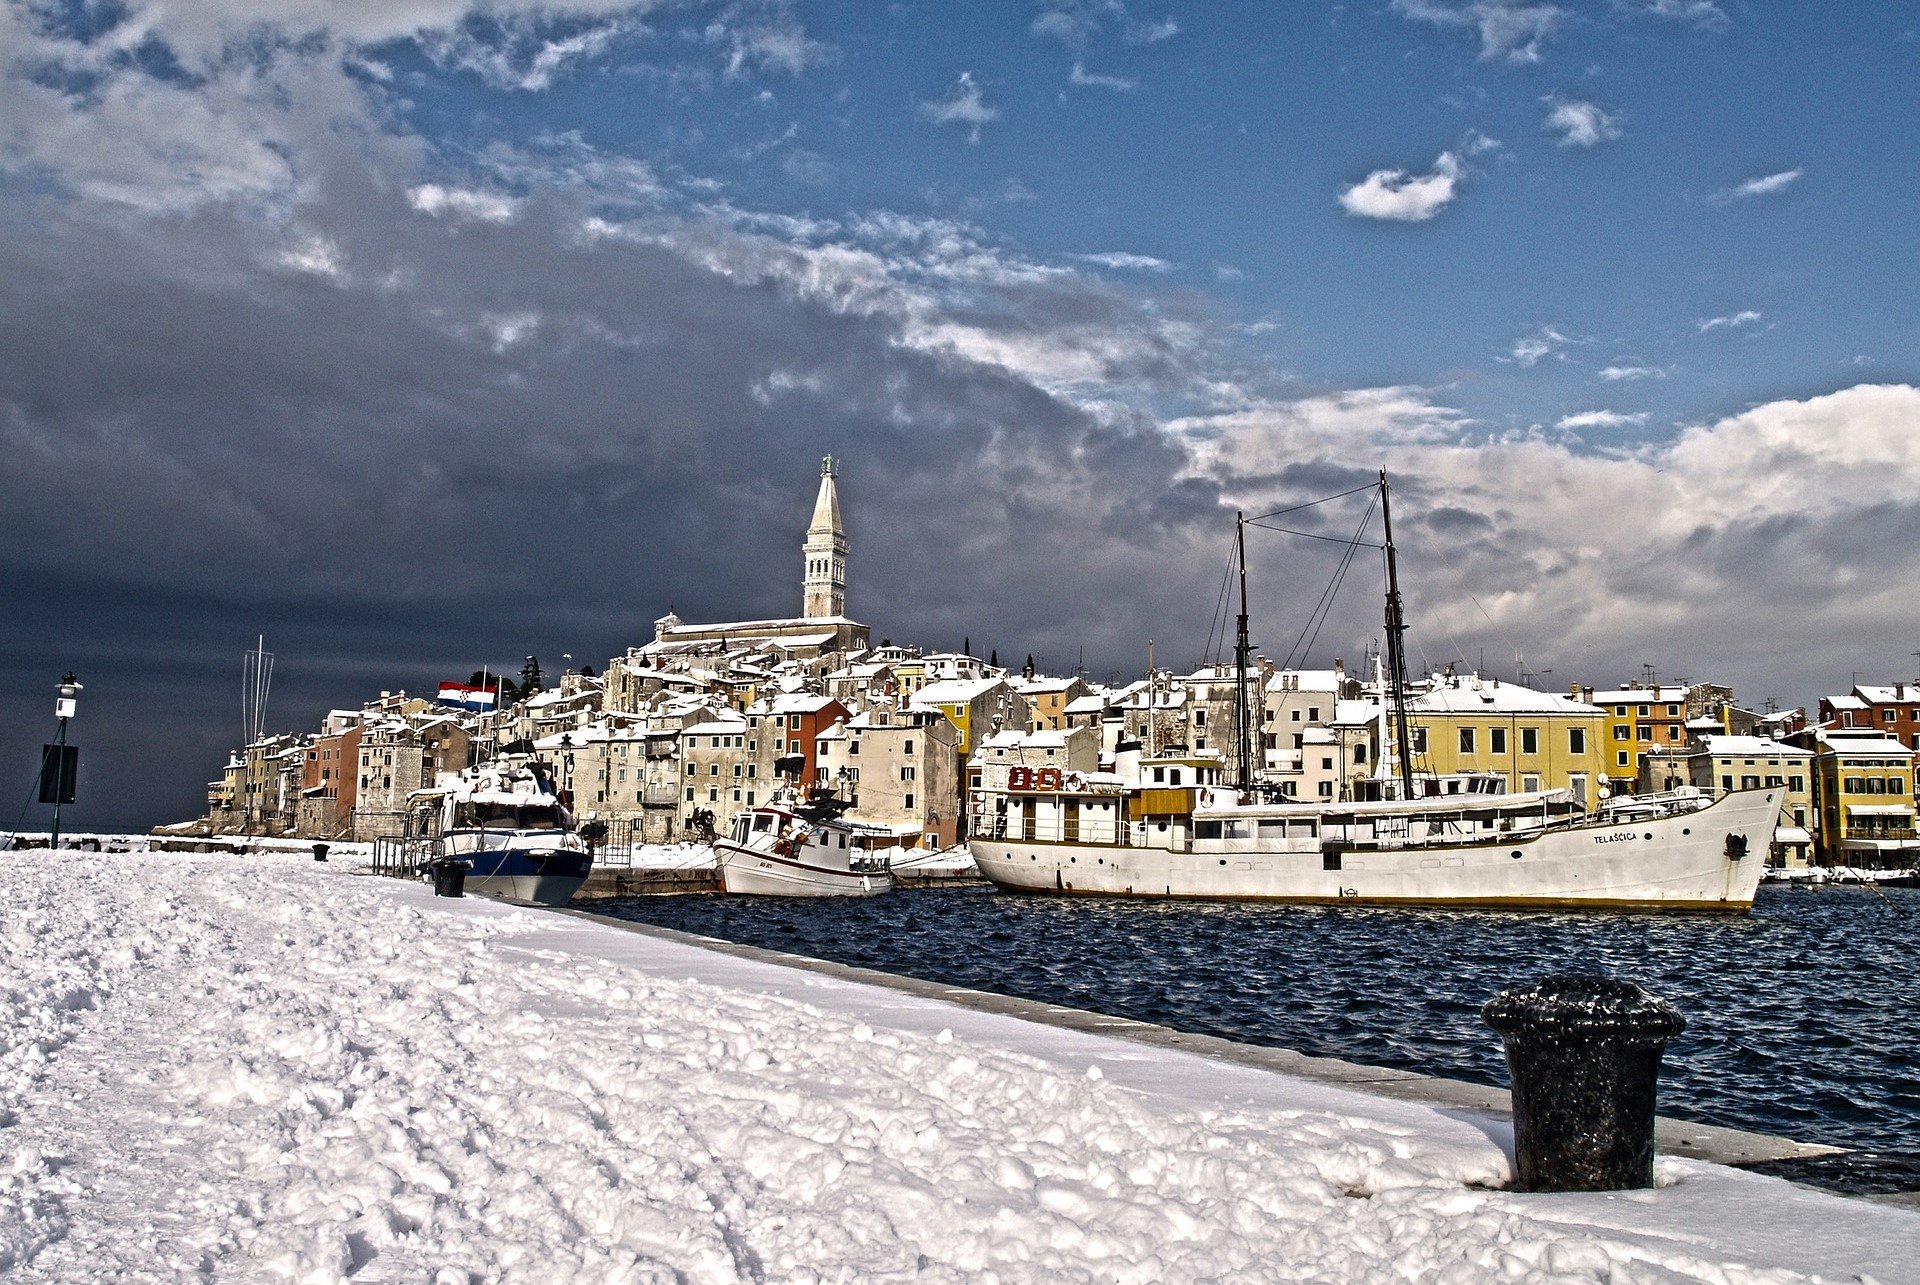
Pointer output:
x,y
1535,740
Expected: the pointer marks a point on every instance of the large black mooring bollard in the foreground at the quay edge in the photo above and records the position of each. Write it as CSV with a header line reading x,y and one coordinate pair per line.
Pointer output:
x,y
1585,1057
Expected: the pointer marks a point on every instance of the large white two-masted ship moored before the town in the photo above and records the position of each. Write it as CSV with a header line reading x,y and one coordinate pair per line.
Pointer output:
x,y
1170,827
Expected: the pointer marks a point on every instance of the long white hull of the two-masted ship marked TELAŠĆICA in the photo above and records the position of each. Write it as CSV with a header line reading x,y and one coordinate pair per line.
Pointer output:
x,y
1669,863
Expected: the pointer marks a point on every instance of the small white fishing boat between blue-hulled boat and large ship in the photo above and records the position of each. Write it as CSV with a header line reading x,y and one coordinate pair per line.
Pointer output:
x,y
800,850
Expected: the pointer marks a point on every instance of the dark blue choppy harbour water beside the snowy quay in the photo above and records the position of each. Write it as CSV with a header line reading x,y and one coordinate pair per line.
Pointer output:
x,y
1802,1019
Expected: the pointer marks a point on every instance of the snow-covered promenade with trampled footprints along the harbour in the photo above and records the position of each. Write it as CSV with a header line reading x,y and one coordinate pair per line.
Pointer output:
x,y
266,1069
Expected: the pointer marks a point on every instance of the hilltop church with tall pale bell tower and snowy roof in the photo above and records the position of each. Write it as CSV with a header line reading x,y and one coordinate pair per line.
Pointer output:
x,y
823,623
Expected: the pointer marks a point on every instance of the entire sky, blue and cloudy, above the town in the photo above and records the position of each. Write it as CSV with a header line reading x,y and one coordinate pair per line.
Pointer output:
x,y
425,335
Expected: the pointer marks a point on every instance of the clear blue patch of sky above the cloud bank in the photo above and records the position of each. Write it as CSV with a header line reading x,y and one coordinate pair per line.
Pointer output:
x,y
1218,141
